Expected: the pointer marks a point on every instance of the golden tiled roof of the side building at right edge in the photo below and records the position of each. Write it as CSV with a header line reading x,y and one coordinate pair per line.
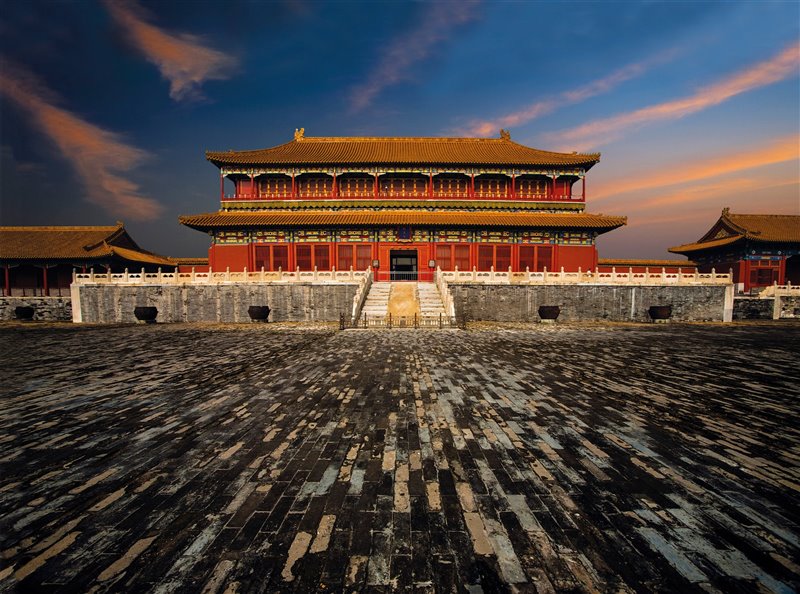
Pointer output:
x,y
732,228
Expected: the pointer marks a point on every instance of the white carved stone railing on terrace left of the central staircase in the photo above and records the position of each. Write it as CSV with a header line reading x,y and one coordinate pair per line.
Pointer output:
x,y
211,277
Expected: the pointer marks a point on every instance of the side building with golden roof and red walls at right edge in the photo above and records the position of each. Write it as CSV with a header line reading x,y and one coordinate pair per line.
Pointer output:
x,y
761,249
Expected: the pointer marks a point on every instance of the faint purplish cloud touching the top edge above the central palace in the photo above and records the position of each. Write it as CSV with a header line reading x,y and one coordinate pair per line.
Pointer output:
x,y
410,47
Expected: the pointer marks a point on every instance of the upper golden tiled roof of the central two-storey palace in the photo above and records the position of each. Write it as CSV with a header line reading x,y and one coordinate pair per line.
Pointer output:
x,y
406,151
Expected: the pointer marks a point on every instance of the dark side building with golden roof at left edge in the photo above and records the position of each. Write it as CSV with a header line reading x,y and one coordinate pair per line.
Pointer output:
x,y
40,260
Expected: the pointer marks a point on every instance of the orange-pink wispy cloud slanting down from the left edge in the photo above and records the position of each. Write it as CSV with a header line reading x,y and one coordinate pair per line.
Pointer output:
x,y
99,156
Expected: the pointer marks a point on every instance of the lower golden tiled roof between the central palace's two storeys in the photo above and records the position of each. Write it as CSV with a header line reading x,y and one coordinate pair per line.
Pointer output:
x,y
372,218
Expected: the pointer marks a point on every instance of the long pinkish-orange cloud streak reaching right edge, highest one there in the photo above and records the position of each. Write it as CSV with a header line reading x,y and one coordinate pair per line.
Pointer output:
x,y
590,135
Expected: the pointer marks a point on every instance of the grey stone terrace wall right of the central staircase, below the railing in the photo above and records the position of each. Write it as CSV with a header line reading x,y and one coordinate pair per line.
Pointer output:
x,y
513,303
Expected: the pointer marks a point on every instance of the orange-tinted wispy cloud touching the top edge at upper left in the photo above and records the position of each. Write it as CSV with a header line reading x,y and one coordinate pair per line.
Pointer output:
x,y
183,59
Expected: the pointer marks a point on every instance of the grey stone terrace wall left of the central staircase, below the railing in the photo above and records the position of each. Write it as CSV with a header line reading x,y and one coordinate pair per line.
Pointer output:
x,y
295,302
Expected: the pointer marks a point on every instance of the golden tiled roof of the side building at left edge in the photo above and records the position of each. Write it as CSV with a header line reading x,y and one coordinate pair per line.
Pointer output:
x,y
72,243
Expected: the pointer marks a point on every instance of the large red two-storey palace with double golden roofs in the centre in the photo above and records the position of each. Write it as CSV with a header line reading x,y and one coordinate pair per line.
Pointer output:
x,y
403,206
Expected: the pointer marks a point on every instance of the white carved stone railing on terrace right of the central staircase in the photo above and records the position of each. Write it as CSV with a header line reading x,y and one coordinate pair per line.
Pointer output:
x,y
617,277
